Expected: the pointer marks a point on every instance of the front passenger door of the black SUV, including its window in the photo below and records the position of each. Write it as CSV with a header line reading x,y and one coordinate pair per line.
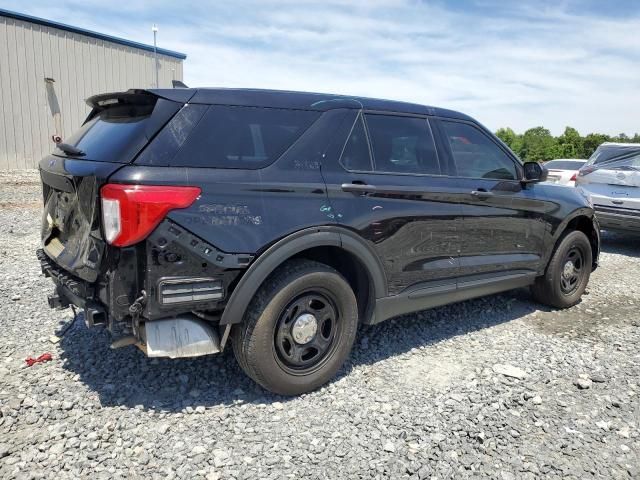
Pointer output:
x,y
505,222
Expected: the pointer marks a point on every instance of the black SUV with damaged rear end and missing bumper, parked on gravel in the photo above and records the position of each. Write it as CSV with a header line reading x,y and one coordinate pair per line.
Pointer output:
x,y
186,219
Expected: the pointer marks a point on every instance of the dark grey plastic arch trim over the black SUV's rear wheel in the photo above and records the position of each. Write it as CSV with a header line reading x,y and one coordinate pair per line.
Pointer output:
x,y
314,243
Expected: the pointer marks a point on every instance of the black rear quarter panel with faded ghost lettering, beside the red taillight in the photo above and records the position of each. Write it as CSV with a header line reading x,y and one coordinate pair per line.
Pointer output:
x,y
241,211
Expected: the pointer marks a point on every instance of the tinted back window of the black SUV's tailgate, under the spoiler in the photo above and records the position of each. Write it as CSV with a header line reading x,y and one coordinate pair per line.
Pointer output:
x,y
112,134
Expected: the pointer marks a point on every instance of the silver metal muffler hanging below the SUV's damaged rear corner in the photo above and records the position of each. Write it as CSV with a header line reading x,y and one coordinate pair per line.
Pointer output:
x,y
182,336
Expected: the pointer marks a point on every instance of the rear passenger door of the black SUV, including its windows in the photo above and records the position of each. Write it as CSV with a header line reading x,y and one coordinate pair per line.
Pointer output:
x,y
388,186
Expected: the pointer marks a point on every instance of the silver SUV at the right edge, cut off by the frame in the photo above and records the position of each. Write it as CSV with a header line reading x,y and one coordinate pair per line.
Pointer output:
x,y
611,178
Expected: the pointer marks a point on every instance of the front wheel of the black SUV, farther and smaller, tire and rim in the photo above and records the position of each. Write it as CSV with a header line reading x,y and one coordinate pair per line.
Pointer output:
x,y
567,273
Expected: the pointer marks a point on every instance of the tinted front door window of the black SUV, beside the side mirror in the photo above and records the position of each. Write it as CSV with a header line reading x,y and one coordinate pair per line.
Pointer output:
x,y
475,155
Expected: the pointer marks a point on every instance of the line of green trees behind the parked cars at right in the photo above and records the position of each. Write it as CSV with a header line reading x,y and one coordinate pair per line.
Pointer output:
x,y
537,144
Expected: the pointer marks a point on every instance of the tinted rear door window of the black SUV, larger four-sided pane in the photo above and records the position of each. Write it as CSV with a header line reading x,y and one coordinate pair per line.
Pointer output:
x,y
402,145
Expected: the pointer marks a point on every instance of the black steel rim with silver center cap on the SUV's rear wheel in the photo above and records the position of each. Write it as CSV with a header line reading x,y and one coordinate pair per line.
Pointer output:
x,y
306,332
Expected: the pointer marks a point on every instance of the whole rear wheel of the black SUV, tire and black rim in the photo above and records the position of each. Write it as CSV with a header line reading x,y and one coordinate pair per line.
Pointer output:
x,y
298,329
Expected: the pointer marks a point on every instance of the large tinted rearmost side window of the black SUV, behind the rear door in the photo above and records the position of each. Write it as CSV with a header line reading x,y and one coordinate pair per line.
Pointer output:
x,y
243,137
